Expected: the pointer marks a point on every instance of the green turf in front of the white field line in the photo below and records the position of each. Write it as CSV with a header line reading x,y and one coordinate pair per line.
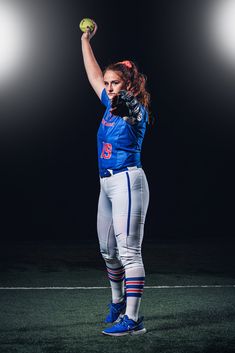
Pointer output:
x,y
177,320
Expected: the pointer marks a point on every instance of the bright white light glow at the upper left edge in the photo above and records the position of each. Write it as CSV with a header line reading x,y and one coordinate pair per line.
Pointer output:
x,y
14,42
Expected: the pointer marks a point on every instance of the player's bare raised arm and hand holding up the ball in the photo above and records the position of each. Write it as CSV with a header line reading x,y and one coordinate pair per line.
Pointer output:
x,y
94,73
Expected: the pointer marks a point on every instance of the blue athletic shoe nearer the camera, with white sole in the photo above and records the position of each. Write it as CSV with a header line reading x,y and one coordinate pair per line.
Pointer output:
x,y
126,326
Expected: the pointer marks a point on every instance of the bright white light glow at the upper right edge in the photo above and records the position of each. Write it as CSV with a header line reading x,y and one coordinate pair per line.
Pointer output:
x,y
222,28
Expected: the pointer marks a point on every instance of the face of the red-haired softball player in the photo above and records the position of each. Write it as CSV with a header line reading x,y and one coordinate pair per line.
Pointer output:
x,y
113,83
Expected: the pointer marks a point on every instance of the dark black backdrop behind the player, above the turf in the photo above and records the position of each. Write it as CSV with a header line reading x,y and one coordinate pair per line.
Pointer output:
x,y
50,116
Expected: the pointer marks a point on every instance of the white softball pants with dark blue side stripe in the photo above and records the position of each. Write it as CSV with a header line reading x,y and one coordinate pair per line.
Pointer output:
x,y
122,208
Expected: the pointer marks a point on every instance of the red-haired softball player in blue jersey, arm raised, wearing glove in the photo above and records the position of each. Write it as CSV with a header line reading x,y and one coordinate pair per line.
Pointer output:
x,y
124,192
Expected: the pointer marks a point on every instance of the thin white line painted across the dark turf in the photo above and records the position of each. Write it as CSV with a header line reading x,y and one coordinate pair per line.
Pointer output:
x,y
146,287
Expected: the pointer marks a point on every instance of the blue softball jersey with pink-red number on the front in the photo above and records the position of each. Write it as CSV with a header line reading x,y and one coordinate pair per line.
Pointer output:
x,y
119,141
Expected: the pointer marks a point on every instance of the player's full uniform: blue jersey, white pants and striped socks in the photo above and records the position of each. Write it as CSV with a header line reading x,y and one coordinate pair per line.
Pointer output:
x,y
123,202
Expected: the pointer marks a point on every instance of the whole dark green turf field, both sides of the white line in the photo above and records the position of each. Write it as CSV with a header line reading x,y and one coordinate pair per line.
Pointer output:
x,y
178,320
